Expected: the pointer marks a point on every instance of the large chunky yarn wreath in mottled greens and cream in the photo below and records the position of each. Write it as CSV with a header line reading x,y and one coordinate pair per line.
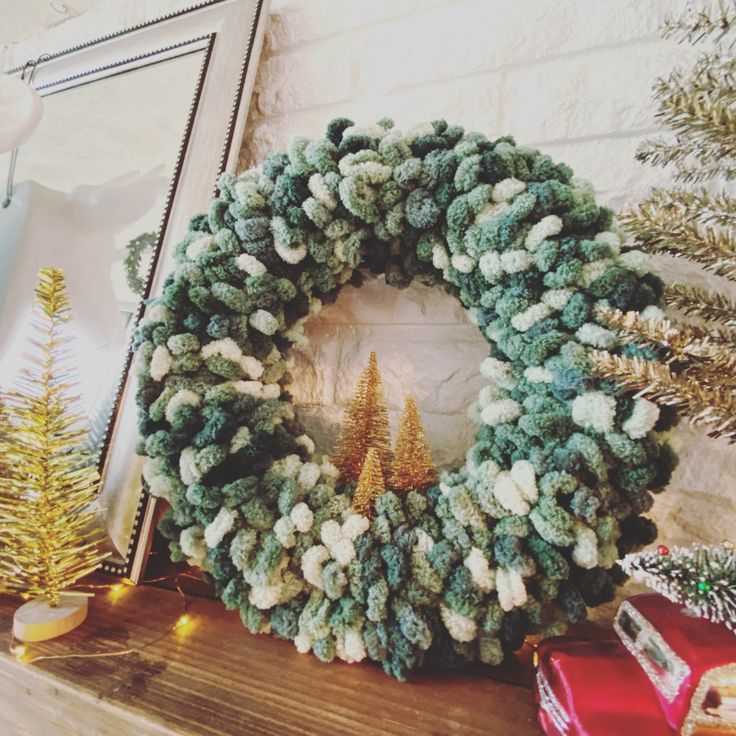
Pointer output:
x,y
521,537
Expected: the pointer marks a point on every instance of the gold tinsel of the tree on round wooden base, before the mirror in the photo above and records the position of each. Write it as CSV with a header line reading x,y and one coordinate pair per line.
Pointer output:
x,y
48,535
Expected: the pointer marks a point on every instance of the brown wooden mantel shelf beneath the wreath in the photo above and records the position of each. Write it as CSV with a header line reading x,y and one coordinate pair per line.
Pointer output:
x,y
213,677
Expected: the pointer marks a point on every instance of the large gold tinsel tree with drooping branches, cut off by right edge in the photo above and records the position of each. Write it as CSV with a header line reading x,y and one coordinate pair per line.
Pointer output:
x,y
694,219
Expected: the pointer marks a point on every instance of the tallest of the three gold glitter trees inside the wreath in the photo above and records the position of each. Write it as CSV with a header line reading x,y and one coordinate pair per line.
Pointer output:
x,y
365,425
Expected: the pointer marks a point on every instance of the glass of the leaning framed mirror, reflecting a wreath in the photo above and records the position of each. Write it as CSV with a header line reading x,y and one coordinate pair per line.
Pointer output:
x,y
90,196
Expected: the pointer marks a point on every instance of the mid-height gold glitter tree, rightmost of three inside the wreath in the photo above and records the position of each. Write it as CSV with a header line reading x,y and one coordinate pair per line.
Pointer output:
x,y
412,468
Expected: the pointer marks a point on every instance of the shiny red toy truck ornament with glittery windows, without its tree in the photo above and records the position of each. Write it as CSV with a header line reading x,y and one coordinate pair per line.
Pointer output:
x,y
667,674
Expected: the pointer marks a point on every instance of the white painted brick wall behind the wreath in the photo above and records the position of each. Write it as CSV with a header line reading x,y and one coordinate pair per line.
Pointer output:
x,y
571,77
